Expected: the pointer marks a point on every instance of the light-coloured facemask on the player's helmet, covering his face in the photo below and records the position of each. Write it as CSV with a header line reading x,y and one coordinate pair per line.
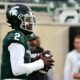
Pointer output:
x,y
27,21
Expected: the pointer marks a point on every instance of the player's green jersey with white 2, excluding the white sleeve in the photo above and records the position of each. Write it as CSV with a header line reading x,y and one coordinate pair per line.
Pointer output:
x,y
14,36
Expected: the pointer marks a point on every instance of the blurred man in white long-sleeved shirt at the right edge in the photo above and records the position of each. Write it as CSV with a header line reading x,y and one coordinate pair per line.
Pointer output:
x,y
72,58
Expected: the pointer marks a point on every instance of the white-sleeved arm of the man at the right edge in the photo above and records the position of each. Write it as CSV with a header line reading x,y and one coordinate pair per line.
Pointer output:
x,y
67,68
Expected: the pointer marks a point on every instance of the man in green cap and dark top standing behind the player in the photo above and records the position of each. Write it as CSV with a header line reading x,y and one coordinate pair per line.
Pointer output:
x,y
36,49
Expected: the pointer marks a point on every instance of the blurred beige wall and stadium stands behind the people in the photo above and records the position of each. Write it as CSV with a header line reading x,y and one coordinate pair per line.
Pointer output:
x,y
53,18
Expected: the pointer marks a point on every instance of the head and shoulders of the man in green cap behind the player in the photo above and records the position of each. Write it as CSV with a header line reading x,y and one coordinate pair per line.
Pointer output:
x,y
34,42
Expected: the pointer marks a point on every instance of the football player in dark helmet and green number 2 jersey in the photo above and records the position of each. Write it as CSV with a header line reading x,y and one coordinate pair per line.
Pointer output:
x,y
16,53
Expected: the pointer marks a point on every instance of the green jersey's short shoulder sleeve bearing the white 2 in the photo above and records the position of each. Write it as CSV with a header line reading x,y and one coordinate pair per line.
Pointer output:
x,y
15,37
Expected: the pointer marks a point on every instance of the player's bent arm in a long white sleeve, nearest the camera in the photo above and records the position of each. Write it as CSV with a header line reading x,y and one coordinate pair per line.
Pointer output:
x,y
18,66
